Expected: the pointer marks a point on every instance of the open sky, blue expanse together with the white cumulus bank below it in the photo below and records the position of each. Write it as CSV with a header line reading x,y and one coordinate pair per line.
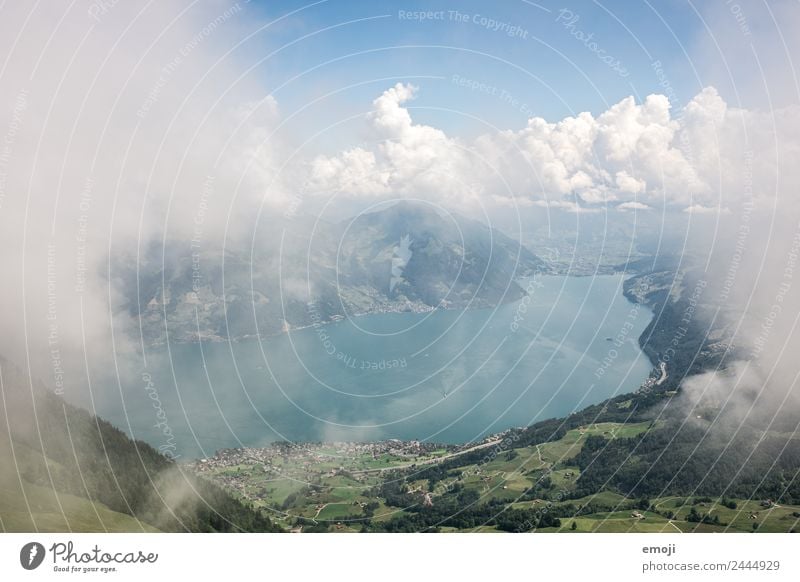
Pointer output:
x,y
392,98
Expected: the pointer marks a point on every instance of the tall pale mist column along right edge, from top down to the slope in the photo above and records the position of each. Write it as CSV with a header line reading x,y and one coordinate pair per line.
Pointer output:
x,y
751,255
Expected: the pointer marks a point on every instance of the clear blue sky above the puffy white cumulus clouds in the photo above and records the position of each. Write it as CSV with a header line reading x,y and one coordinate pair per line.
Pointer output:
x,y
545,68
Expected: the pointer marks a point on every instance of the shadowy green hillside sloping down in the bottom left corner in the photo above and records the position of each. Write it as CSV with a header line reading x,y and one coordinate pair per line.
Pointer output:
x,y
67,470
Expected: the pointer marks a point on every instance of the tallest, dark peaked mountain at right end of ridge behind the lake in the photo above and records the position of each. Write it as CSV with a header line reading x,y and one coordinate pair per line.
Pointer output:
x,y
410,254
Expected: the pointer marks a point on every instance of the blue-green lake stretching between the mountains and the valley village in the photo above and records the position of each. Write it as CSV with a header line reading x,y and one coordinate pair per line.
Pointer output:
x,y
445,376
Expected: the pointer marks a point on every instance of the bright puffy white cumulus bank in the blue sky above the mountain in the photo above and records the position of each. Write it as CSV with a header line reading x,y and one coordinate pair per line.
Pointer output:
x,y
630,154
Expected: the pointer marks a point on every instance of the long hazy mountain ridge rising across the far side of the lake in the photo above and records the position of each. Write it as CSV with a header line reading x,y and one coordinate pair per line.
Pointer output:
x,y
303,270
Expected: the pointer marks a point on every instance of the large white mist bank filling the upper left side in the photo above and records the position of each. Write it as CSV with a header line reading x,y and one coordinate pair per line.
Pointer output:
x,y
127,127
